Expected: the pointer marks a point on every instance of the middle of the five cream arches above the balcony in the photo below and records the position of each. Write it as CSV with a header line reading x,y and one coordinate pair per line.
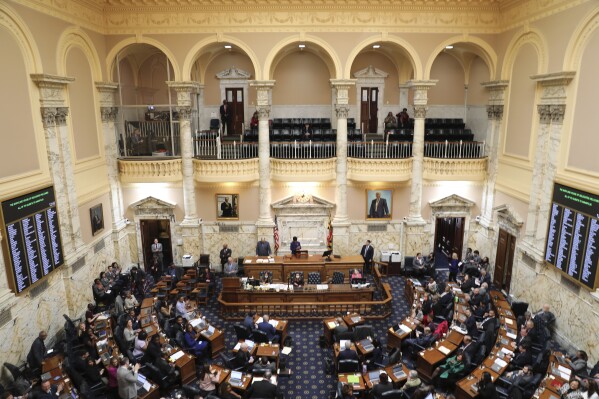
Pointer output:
x,y
333,63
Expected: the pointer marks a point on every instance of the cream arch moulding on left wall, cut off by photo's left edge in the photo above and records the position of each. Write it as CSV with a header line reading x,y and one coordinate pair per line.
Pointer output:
x,y
18,28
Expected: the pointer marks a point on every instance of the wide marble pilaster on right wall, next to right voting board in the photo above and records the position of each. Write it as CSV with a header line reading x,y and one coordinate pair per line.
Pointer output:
x,y
551,108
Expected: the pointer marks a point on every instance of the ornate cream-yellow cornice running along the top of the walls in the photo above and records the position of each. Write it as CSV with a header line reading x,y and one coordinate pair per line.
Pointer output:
x,y
196,16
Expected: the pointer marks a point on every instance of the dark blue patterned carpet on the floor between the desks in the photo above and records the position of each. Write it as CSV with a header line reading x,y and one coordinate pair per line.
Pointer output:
x,y
307,360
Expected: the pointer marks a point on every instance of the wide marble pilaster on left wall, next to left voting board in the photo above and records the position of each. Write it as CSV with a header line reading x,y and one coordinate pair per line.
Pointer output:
x,y
54,117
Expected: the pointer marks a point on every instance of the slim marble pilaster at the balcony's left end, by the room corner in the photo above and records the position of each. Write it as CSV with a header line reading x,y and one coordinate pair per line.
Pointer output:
x,y
109,113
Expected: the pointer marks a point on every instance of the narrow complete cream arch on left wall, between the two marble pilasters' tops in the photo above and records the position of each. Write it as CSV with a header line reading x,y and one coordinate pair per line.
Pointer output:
x,y
76,37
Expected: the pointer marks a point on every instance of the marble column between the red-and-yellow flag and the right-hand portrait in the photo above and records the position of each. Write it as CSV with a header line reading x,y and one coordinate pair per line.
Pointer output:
x,y
342,87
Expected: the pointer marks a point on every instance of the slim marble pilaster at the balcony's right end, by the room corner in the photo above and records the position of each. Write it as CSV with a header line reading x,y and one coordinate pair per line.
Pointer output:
x,y
495,115
